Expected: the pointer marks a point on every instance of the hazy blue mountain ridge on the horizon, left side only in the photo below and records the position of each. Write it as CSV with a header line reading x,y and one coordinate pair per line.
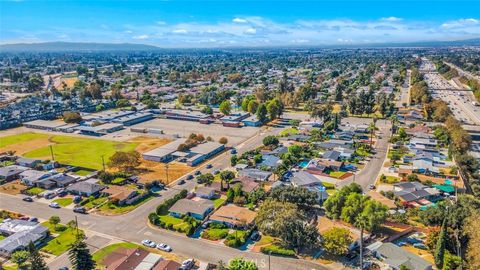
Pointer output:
x,y
74,47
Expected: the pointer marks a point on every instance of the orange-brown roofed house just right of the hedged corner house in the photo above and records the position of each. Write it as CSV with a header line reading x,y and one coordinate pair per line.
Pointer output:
x,y
234,216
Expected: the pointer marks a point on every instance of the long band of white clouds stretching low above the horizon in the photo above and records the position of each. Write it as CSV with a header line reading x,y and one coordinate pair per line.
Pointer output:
x,y
258,31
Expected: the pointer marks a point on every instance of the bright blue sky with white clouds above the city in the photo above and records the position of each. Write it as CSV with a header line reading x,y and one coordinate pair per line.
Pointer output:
x,y
238,23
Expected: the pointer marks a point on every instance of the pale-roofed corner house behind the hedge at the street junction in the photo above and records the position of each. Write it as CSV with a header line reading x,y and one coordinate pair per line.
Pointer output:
x,y
197,208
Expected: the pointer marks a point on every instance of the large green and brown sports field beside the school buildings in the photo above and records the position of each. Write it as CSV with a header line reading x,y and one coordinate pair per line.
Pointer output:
x,y
75,151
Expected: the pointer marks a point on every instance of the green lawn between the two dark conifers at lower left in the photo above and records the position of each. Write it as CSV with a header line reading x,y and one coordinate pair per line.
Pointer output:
x,y
60,244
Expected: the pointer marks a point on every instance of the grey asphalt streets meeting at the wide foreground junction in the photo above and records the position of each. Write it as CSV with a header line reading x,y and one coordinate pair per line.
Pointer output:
x,y
133,226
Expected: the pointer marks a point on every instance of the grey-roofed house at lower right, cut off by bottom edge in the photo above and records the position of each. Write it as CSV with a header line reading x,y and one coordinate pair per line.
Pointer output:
x,y
396,257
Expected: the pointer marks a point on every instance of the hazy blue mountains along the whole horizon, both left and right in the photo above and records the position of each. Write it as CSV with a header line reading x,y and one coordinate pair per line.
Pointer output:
x,y
96,47
